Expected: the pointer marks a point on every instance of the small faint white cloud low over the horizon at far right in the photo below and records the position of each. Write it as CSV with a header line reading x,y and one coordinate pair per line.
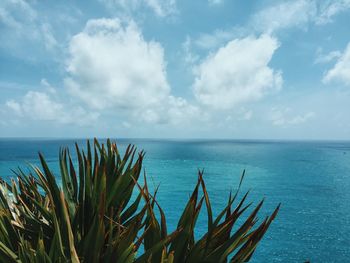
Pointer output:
x,y
285,117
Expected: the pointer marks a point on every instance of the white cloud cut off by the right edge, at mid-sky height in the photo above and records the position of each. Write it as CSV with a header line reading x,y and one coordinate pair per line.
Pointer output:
x,y
341,70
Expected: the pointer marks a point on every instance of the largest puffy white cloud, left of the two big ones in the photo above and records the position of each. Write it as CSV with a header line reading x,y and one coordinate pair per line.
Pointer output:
x,y
111,66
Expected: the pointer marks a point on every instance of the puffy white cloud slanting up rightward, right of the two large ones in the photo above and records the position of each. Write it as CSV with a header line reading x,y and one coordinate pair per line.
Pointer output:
x,y
237,73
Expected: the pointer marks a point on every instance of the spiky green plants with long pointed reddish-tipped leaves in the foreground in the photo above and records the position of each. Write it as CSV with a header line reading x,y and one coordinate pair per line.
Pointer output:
x,y
93,216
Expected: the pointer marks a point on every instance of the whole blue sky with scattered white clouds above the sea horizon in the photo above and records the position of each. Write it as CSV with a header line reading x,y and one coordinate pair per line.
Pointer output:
x,y
175,69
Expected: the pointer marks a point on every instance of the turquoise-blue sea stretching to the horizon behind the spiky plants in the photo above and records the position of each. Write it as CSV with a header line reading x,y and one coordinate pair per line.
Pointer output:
x,y
310,179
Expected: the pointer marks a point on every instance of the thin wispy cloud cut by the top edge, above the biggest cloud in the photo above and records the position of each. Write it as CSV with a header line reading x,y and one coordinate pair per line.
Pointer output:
x,y
159,7
